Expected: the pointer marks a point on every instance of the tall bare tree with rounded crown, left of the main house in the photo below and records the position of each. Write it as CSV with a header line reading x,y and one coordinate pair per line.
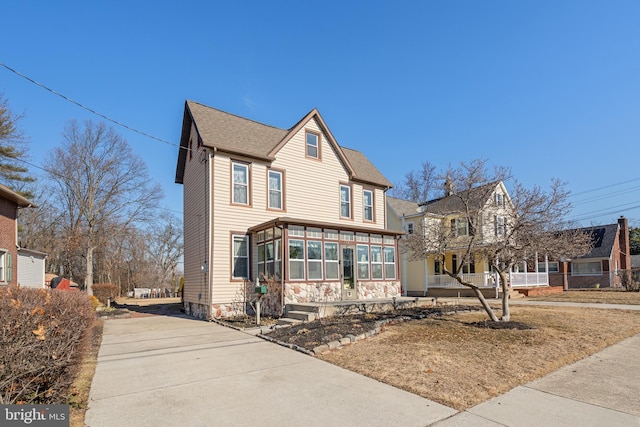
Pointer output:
x,y
99,181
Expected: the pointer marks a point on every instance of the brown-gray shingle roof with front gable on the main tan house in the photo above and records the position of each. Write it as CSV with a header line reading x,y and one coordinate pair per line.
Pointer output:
x,y
234,134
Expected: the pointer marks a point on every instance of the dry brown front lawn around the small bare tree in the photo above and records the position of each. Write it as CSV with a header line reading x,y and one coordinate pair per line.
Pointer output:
x,y
448,361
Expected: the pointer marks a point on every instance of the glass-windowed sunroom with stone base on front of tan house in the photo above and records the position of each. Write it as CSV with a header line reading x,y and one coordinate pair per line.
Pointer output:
x,y
313,262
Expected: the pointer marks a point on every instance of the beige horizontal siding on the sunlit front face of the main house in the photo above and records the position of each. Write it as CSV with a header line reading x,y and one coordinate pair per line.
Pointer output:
x,y
311,191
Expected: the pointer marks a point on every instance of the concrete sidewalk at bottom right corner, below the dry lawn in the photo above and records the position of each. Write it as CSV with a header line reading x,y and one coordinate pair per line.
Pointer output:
x,y
600,390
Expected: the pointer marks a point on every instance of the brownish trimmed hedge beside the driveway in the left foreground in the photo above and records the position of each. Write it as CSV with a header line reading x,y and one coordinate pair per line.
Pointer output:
x,y
43,338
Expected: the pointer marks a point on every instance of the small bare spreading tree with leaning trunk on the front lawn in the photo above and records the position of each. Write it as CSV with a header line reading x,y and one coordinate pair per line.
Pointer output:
x,y
534,224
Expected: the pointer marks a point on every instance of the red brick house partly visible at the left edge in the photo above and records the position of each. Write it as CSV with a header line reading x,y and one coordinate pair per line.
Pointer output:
x,y
10,202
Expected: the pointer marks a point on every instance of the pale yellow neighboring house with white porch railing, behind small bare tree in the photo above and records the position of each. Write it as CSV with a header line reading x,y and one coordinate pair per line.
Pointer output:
x,y
489,208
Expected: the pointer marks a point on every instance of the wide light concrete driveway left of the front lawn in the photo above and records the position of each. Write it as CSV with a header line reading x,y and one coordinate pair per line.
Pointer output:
x,y
175,371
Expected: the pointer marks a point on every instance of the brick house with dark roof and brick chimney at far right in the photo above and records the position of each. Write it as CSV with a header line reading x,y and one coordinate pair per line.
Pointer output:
x,y
600,267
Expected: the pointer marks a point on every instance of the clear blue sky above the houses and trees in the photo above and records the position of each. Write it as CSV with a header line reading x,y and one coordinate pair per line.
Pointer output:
x,y
548,88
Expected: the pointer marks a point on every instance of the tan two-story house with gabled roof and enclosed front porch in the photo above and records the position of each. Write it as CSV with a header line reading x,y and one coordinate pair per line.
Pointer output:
x,y
286,207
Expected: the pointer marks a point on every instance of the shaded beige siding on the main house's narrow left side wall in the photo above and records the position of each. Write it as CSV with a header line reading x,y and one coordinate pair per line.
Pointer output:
x,y
195,226
